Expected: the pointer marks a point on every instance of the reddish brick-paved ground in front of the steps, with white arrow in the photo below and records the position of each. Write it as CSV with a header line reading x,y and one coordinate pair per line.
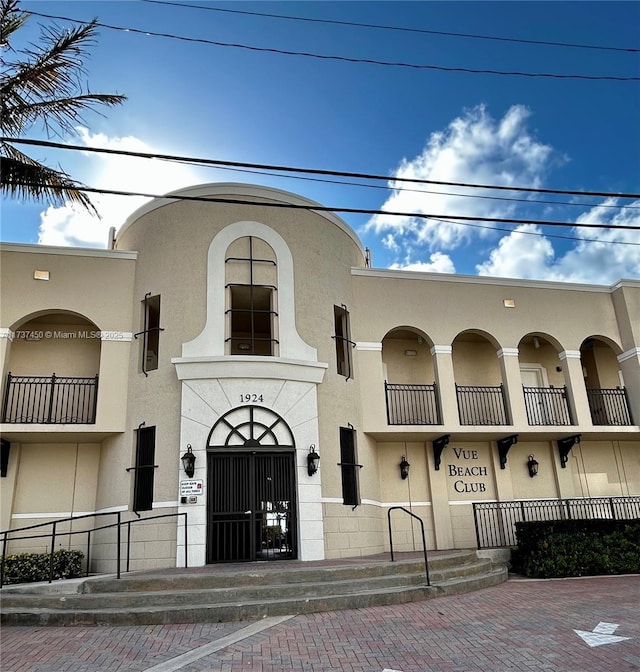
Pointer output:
x,y
561,625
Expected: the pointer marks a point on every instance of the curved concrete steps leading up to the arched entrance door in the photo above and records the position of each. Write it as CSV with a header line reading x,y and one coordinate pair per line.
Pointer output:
x,y
244,592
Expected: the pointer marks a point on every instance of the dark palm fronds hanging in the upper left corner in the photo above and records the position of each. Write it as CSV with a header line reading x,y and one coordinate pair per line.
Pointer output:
x,y
42,84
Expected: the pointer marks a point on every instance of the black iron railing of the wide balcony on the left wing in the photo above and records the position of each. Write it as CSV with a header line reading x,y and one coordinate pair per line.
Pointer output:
x,y
50,400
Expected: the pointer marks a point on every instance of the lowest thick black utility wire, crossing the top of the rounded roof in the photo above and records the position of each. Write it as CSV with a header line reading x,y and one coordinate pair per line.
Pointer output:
x,y
325,208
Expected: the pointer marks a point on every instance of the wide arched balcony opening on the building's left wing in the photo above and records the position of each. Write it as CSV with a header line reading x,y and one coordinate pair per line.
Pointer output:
x,y
52,369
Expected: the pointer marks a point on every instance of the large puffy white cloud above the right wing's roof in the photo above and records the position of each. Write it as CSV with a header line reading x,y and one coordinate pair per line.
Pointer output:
x,y
474,149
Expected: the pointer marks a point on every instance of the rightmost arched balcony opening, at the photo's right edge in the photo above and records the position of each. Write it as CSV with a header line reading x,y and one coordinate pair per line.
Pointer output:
x,y
606,393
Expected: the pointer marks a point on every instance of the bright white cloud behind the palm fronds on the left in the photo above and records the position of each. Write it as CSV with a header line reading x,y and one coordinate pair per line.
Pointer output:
x,y
71,225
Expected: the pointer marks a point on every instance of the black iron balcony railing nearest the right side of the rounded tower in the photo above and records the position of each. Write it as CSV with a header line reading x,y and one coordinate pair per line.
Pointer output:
x,y
412,404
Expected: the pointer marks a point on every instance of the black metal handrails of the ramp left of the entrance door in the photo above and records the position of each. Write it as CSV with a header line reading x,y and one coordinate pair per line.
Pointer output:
x,y
54,533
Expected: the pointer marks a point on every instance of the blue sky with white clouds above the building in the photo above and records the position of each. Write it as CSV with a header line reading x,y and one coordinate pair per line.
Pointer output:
x,y
201,100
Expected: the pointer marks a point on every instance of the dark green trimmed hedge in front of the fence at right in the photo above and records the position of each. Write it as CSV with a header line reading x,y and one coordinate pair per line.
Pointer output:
x,y
561,548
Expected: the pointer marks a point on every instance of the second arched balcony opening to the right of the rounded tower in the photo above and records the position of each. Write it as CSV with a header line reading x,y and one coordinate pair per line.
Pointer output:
x,y
479,387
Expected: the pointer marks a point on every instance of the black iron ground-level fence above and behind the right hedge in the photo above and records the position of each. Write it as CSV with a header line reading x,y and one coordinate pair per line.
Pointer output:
x,y
495,522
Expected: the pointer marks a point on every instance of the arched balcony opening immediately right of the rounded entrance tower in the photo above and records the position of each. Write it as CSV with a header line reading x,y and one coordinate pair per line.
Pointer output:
x,y
410,389
